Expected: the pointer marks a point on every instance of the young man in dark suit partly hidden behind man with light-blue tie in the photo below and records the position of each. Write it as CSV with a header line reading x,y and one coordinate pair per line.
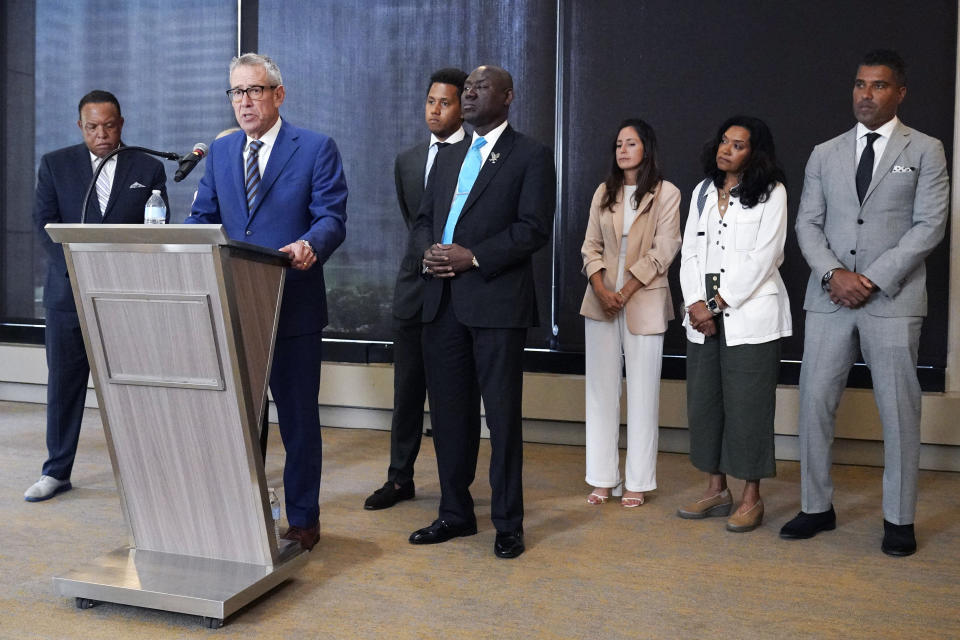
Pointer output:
x,y
444,120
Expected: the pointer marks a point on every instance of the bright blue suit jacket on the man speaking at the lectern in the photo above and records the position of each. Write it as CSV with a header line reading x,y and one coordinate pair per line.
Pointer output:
x,y
302,195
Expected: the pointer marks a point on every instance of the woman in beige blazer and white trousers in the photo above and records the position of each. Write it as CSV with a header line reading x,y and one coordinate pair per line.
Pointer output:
x,y
632,237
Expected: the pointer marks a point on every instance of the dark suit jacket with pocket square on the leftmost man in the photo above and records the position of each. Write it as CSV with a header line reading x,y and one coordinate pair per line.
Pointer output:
x,y
62,180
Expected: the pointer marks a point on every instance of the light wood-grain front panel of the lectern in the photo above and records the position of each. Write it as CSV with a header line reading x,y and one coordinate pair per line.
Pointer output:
x,y
185,451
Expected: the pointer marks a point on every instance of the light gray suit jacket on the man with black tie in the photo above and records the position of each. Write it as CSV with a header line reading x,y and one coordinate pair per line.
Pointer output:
x,y
901,220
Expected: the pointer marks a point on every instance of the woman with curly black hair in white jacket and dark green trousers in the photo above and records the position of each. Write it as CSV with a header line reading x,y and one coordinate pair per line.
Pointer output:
x,y
736,312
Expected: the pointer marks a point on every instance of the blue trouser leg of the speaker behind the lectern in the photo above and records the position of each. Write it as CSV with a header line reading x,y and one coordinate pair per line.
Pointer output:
x,y
295,385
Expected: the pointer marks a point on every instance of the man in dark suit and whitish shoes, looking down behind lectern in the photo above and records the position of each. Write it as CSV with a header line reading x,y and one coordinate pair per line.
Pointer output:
x,y
122,191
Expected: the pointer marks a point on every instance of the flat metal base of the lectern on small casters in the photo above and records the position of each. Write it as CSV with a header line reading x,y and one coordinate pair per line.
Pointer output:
x,y
213,589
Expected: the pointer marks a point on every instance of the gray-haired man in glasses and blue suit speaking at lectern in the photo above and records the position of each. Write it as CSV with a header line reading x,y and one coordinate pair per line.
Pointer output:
x,y
282,187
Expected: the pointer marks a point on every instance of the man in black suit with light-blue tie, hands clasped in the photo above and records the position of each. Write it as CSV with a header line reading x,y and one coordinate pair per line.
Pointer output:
x,y
488,207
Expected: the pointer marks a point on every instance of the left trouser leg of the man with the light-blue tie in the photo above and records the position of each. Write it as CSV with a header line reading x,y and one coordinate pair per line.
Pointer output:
x,y
454,410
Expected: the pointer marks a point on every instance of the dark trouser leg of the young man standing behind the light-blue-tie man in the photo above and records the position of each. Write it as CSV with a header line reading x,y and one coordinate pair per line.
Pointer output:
x,y
409,391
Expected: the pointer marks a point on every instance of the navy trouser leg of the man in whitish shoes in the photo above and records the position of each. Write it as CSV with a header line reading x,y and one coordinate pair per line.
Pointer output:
x,y
67,375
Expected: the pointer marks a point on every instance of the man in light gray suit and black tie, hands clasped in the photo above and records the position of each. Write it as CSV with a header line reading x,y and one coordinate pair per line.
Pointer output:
x,y
874,204
